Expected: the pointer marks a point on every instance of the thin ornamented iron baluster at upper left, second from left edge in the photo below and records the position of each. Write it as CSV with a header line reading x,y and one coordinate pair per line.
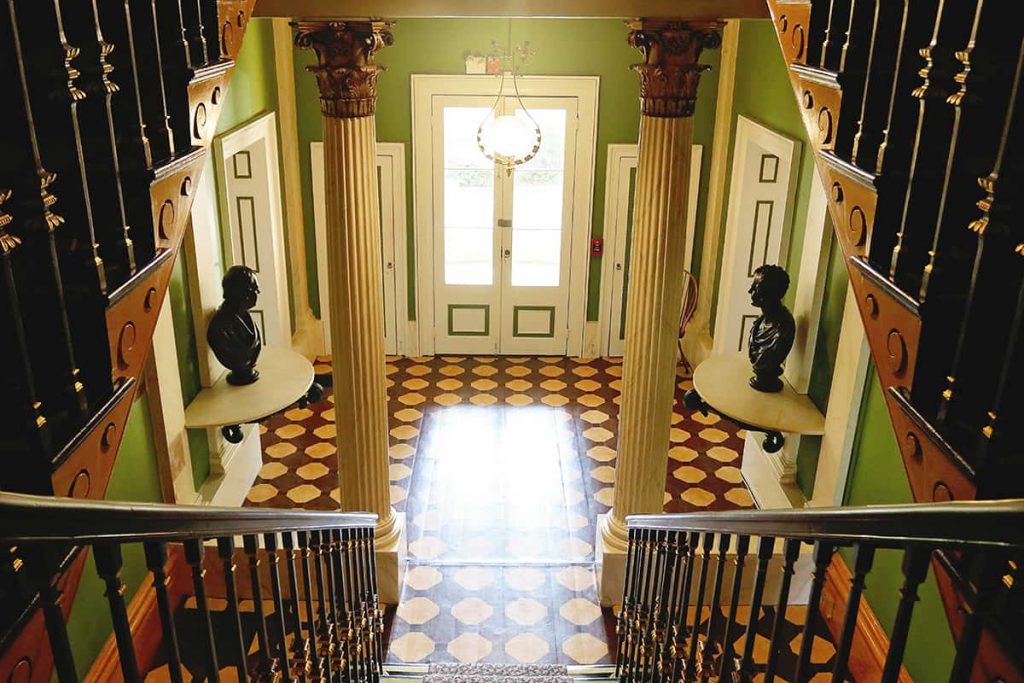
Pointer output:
x,y
53,222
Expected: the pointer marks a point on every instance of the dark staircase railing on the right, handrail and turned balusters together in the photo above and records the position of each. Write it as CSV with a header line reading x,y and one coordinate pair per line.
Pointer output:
x,y
689,584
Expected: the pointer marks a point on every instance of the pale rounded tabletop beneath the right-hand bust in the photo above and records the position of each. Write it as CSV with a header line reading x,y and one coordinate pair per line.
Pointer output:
x,y
722,382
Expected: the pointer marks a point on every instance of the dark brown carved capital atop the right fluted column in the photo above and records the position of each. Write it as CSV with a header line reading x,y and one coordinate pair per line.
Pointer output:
x,y
670,73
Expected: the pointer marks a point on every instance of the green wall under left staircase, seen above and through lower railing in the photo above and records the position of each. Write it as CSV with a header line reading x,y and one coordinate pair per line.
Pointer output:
x,y
135,479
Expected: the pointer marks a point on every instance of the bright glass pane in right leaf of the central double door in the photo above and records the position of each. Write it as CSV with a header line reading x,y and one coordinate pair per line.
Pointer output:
x,y
538,218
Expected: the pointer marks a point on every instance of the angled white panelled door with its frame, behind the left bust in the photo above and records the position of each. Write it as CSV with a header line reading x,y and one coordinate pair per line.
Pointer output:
x,y
249,200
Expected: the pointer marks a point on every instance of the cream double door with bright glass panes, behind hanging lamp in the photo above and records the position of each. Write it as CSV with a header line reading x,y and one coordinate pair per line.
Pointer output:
x,y
503,239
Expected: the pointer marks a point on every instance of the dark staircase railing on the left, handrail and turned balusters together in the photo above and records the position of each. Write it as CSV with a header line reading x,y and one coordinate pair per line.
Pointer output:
x,y
319,570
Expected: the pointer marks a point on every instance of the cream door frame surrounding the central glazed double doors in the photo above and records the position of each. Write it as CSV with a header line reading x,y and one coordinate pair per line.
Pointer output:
x,y
424,89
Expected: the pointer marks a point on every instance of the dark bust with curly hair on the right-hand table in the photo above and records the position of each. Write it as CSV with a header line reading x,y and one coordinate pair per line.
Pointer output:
x,y
774,331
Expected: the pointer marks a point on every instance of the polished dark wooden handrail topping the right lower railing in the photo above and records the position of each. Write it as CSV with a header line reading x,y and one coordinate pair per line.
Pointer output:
x,y
948,526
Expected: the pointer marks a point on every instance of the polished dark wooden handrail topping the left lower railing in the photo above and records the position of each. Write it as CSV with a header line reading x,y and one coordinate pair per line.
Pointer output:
x,y
50,520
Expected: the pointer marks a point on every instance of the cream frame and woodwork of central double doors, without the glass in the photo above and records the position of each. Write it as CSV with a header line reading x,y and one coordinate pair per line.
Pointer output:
x,y
527,321
